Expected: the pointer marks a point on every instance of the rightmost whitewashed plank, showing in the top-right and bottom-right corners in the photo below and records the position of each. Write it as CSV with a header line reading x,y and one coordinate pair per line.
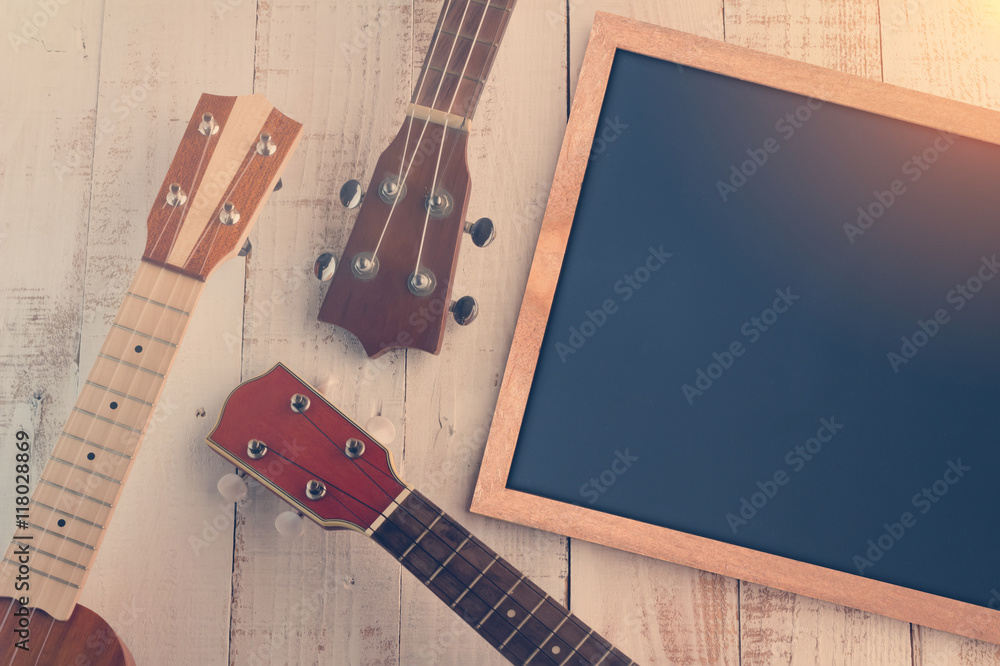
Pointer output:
x,y
947,49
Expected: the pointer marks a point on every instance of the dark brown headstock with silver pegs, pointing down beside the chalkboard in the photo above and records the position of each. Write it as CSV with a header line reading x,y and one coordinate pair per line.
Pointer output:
x,y
392,287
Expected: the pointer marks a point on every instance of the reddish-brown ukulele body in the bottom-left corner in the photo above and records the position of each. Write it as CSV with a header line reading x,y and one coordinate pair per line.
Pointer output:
x,y
84,639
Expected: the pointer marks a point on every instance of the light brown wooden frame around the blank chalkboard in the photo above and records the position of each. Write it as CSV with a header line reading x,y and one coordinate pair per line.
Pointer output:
x,y
494,498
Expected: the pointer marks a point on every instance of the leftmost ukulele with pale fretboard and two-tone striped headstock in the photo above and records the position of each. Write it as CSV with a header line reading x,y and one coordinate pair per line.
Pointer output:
x,y
229,161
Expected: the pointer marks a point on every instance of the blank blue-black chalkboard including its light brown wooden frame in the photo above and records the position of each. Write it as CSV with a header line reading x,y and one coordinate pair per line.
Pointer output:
x,y
760,335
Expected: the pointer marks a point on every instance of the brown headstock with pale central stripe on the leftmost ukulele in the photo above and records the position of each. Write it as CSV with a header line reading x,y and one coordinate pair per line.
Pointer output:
x,y
229,161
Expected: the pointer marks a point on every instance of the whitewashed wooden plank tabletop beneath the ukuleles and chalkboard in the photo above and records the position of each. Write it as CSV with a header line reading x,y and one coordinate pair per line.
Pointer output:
x,y
94,97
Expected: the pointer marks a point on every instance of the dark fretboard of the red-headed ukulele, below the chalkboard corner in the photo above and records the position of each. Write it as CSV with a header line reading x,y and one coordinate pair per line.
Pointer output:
x,y
512,613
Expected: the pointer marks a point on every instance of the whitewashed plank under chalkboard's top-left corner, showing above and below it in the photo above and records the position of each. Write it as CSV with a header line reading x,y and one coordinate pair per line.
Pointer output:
x,y
664,613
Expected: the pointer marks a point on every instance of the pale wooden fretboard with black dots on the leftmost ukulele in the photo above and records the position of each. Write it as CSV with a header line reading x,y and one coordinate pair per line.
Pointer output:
x,y
80,485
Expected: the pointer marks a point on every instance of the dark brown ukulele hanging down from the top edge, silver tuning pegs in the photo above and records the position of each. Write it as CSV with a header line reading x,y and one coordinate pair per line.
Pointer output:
x,y
392,288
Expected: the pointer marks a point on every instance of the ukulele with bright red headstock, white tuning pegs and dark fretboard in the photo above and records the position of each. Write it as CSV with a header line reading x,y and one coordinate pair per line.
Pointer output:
x,y
280,431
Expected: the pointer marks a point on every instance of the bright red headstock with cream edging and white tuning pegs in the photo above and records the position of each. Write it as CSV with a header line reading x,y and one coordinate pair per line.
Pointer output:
x,y
317,443
